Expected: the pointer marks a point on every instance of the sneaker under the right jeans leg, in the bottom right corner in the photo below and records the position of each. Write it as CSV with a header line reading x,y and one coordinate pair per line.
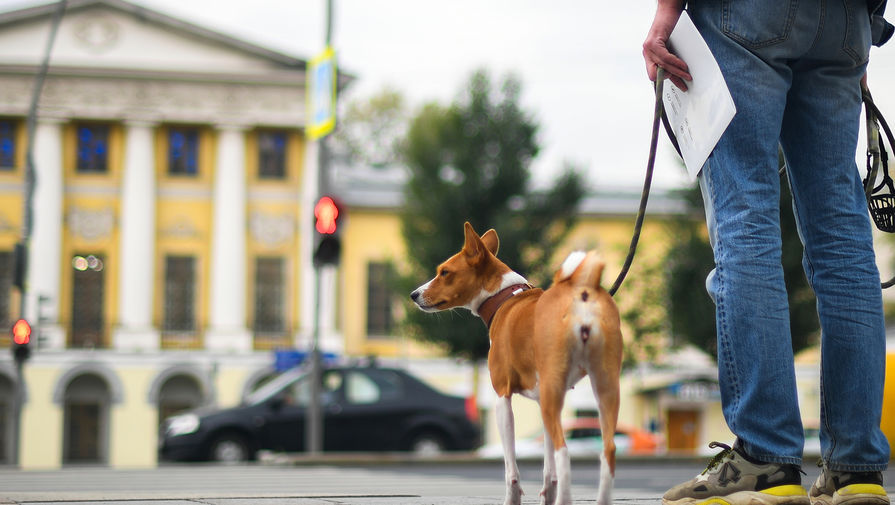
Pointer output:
x,y
853,488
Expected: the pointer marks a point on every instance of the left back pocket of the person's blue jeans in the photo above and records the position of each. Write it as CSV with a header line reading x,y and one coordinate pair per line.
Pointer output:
x,y
757,24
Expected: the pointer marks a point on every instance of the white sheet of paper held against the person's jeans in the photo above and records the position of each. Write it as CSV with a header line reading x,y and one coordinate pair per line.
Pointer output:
x,y
699,115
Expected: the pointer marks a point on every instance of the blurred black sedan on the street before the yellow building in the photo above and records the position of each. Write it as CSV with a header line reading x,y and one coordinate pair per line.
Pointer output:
x,y
364,409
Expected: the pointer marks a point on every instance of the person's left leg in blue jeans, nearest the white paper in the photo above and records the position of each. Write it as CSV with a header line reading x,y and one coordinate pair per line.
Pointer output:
x,y
741,189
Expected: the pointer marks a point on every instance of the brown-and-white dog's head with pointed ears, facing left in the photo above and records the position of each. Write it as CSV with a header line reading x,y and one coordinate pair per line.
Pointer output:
x,y
461,280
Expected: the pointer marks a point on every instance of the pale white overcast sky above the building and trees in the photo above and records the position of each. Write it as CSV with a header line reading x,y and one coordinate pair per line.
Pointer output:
x,y
579,62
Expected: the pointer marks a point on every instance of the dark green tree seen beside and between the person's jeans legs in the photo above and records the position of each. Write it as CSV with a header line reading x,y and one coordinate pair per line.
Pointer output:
x,y
690,260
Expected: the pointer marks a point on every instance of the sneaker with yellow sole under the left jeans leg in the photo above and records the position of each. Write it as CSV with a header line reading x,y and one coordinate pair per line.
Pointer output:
x,y
732,479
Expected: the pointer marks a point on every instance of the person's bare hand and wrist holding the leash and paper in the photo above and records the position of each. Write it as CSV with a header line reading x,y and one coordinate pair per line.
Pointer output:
x,y
655,47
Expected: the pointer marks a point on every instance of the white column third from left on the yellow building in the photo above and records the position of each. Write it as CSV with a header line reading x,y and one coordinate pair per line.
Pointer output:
x,y
227,329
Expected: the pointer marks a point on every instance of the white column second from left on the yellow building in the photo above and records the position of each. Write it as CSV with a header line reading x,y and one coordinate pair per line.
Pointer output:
x,y
137,251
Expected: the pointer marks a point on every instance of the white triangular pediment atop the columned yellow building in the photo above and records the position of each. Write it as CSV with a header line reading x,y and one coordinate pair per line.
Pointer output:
x,y
115,34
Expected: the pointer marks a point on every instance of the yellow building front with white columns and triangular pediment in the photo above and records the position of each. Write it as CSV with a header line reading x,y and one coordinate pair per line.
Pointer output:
x,y
165,256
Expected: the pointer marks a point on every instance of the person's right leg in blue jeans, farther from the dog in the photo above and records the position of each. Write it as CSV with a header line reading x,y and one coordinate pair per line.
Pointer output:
x,y
819,138
